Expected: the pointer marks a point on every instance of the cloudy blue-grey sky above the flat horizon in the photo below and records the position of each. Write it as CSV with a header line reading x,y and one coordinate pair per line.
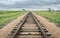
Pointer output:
x,y
29,4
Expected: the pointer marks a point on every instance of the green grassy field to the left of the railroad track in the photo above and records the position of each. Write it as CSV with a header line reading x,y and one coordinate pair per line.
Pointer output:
x,y
7,16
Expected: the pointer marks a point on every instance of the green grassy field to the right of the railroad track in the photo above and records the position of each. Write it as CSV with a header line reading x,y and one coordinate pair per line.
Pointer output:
x,y
52,16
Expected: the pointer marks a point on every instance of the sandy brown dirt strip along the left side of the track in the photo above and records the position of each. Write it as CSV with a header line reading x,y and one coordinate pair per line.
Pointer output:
x,y
8,28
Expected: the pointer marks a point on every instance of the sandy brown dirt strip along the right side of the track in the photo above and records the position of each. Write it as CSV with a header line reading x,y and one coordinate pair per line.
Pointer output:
x,y
51,27
